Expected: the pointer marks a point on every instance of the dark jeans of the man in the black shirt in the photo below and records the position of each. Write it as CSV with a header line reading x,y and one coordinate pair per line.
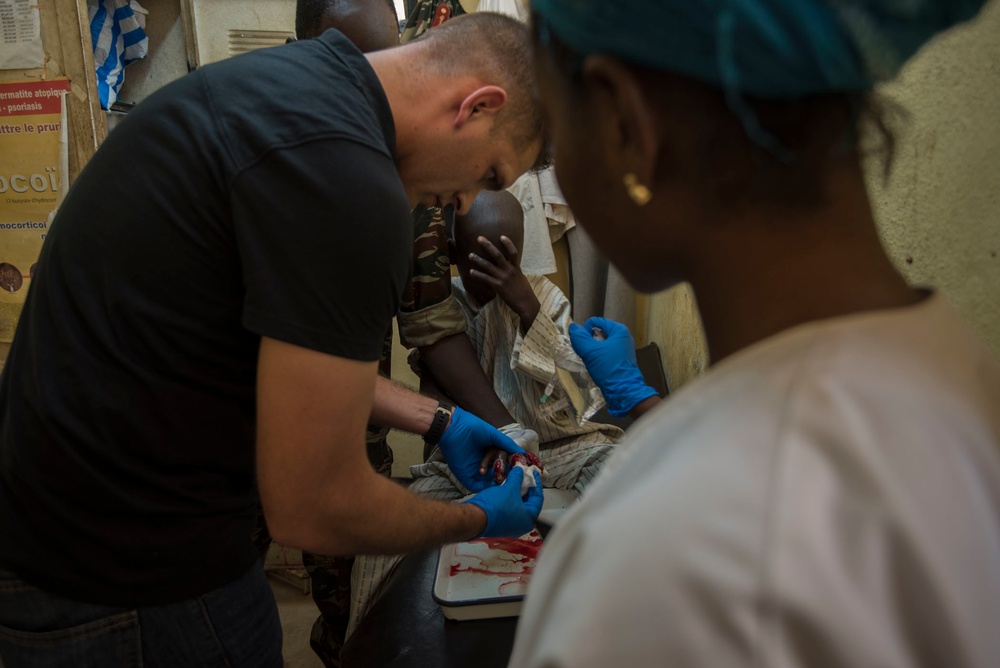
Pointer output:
x,y
234,626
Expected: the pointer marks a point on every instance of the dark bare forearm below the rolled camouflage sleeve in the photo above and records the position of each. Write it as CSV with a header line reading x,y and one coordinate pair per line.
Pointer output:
x,y
454,364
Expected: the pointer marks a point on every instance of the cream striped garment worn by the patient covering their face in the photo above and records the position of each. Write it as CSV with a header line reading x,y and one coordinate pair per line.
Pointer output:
x,y
520,367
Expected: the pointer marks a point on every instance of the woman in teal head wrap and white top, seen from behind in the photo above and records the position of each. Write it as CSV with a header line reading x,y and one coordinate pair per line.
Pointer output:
x,y
828,492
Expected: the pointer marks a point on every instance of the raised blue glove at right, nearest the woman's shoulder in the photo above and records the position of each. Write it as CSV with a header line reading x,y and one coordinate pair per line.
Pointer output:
x,y
611,363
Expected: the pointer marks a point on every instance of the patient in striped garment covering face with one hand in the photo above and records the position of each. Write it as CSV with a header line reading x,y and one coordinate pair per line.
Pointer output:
x,y
515,322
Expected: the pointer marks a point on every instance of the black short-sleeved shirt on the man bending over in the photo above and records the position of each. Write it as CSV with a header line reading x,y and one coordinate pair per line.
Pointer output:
x,y
254,197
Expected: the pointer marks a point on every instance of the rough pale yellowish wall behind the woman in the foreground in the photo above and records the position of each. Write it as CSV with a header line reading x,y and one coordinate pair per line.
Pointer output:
x,y
939,211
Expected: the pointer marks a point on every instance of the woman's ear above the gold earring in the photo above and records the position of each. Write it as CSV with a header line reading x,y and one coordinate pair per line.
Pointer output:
x,y
637,138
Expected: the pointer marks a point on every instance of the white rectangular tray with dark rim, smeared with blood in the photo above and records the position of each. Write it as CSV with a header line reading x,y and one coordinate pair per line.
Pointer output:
x,y
488,577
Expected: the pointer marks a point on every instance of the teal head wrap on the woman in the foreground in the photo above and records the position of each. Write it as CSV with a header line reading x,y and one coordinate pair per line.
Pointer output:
x,y
776,49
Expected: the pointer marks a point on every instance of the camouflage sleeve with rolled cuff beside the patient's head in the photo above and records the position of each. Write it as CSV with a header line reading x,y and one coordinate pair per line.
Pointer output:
x,y
429,312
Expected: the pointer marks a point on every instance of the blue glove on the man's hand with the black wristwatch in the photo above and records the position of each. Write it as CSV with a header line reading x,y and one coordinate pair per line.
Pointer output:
x,y
464,444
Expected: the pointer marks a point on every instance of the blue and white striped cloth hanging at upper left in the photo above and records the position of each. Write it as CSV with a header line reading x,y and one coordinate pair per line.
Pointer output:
x,y
118,38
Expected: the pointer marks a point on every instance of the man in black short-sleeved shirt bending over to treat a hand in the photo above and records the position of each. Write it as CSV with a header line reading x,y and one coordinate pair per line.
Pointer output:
x,y
188,341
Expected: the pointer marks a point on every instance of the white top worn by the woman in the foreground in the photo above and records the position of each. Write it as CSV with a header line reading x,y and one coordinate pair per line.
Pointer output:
x,y
827,497
